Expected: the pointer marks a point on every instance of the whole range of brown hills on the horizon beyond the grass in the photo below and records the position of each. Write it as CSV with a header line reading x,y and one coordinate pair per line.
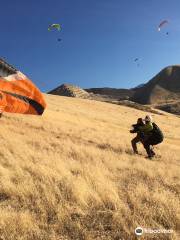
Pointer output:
x,y
162,91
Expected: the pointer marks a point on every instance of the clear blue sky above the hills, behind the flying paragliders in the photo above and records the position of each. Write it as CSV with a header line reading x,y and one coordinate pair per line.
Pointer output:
x,y
100,40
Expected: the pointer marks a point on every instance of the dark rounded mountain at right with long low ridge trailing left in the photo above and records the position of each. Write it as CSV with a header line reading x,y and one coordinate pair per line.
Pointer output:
x,y
162,88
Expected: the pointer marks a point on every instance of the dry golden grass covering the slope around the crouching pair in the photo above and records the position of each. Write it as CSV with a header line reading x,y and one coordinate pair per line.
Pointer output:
x,y
71,174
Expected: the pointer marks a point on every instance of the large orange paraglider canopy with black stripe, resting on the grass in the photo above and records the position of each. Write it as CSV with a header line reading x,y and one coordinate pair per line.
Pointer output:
x,y
19,95
